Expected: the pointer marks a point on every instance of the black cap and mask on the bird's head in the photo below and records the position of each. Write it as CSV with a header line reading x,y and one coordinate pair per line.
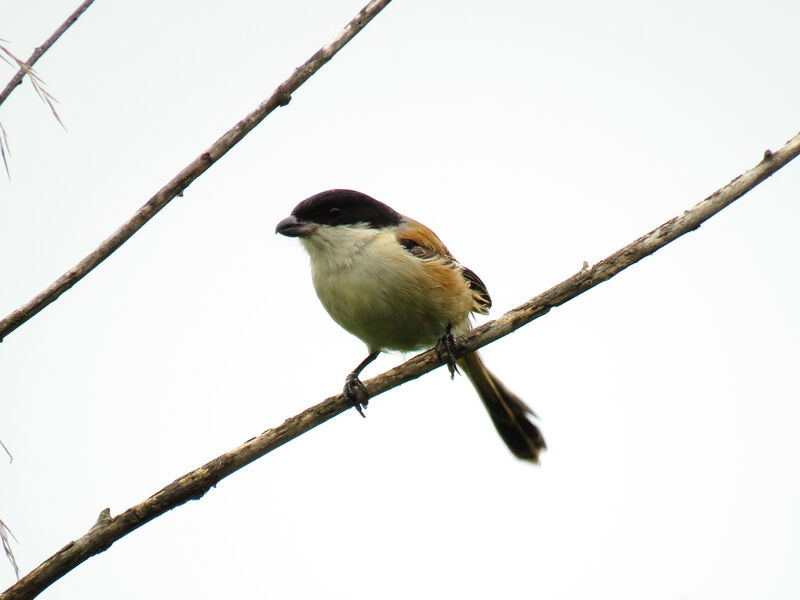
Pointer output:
x,y
345,207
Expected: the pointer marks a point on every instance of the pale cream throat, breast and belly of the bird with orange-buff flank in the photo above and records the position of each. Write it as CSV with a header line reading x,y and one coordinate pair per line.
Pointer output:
x,y
381,293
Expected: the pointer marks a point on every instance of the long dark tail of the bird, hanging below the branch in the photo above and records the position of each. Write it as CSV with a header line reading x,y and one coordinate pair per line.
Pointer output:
x,y
510,415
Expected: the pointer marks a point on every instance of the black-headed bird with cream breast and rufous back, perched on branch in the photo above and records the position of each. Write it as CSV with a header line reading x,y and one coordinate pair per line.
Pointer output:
x,y
391,282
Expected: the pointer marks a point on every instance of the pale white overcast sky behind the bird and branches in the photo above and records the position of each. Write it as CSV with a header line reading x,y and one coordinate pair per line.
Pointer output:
x,y
531,136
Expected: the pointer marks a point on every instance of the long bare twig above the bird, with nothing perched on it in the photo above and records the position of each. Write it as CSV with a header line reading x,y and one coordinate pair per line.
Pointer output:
x,y
280,97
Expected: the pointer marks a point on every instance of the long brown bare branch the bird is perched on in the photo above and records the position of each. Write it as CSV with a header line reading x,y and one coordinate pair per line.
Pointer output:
x,y
195,484
